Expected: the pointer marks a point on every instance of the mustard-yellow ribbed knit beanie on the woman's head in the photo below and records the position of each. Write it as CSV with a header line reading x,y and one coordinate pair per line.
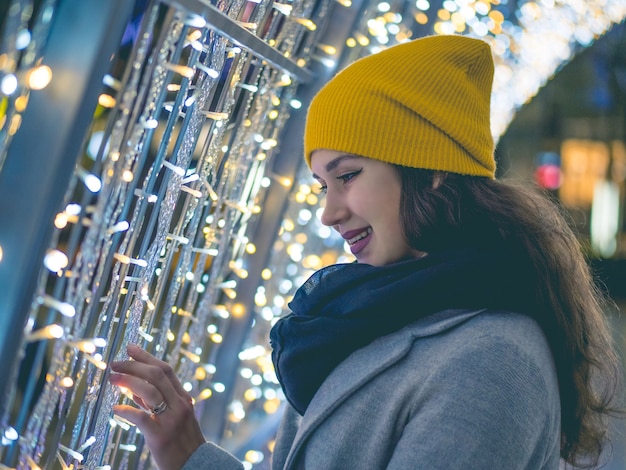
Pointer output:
x,y
422,104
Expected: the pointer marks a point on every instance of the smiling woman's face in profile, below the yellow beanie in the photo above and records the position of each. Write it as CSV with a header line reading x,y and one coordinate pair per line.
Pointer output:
x,y
363,205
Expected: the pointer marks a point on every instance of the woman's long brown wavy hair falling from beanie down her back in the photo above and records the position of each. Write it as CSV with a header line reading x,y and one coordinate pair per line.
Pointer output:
x,y
443,210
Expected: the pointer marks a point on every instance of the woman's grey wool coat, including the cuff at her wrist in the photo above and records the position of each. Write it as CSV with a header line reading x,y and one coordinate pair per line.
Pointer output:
x,y
470,390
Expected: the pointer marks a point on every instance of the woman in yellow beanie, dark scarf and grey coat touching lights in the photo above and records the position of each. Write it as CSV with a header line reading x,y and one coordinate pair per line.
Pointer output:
x,y
469,335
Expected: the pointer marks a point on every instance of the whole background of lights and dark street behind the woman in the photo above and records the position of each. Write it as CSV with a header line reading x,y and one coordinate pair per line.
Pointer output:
x,y
152,190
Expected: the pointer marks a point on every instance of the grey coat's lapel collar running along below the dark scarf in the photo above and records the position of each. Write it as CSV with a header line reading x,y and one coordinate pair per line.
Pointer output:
x,y
379,355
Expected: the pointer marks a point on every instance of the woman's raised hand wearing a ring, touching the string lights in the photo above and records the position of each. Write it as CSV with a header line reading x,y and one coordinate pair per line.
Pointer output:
x,y
167,419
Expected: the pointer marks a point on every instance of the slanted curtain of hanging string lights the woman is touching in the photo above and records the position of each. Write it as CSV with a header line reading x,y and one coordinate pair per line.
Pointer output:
x,y
153,236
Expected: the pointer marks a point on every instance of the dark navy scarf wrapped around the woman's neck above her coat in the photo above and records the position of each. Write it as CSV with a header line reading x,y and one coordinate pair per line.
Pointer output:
x,y
344,307
